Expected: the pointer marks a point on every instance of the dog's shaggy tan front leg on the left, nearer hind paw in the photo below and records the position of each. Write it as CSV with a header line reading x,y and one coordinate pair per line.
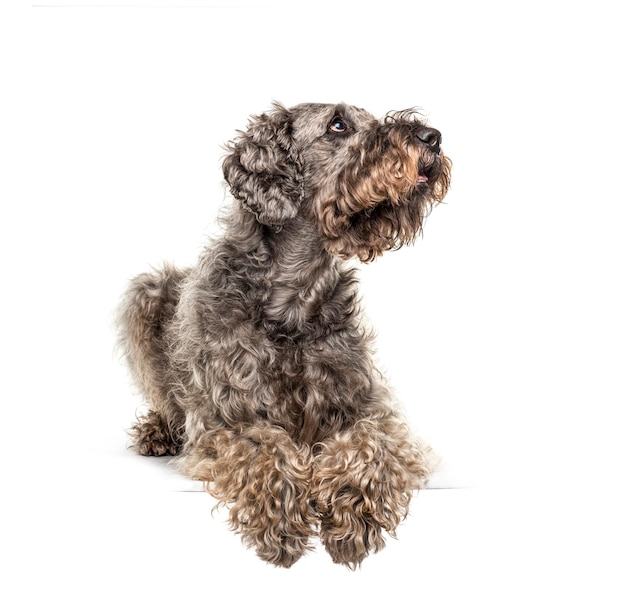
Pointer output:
x,y
264,477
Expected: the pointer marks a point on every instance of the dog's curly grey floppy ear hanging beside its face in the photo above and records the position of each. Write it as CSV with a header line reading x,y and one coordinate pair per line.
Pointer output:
x,y
263,168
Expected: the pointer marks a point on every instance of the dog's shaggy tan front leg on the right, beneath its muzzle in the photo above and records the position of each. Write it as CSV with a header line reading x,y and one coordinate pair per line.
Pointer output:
x,y
362,483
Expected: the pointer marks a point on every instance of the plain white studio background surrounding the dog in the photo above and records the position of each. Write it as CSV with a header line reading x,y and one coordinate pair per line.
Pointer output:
x,y
502,329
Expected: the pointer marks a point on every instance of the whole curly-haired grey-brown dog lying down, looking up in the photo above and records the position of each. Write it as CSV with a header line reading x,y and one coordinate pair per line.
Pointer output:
x,y
255,363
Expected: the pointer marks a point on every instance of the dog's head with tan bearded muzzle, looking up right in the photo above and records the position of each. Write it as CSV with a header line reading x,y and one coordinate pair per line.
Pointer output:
x,y
368,184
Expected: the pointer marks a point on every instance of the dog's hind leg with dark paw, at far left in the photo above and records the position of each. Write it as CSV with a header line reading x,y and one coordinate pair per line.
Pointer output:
x,y
145,315
